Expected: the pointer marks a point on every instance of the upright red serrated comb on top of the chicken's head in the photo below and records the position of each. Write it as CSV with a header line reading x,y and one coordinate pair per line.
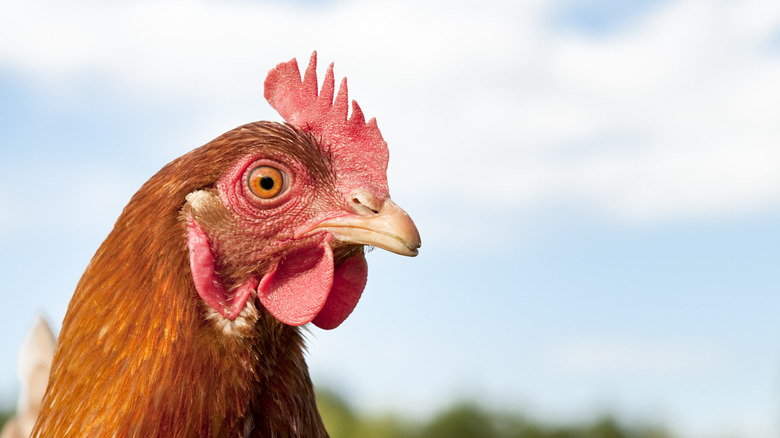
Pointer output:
x,y
359,153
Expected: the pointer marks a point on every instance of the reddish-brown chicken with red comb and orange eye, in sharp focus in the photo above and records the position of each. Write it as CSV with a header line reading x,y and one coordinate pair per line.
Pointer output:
x,y
186,321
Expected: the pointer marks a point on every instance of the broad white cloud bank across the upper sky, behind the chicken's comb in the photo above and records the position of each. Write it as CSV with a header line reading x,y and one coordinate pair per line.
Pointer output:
x,y
671,118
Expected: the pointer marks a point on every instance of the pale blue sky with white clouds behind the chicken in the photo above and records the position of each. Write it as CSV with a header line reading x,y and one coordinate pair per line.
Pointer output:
x,y
596,184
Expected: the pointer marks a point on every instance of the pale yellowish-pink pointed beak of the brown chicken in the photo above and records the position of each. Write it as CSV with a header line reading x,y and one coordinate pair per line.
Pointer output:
x,y
390,229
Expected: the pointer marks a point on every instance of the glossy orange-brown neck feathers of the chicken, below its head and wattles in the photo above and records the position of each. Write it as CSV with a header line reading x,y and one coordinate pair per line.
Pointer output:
x,y
139,355
